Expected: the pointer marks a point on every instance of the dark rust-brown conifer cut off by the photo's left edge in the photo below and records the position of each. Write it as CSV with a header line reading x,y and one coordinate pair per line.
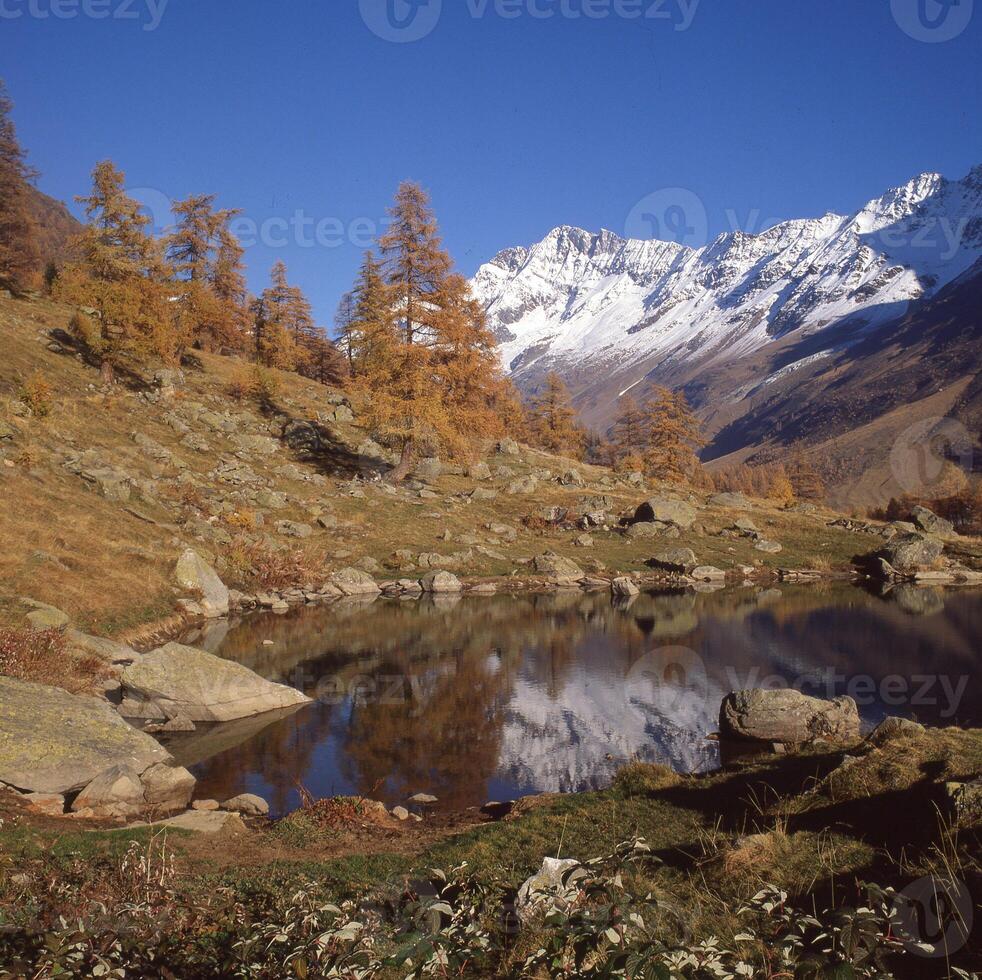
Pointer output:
x,y
20,255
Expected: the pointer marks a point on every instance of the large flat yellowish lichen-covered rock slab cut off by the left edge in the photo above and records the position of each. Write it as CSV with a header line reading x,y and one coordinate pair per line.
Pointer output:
x,y
55,742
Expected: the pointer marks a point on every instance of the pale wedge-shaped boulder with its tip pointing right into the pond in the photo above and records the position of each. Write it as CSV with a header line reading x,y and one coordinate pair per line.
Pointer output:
x,y
179,681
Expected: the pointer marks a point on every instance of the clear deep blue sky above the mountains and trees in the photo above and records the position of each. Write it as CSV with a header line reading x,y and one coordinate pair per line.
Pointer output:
x,y
516,124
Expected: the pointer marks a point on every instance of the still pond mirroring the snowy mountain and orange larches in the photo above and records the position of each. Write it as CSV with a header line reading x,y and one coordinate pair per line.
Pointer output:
x,y
489,698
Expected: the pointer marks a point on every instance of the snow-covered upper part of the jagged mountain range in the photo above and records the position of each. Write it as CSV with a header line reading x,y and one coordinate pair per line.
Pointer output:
x,y
587,304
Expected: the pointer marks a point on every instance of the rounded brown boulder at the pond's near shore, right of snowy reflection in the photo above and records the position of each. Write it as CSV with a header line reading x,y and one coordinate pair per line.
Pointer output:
x,y
787,716
